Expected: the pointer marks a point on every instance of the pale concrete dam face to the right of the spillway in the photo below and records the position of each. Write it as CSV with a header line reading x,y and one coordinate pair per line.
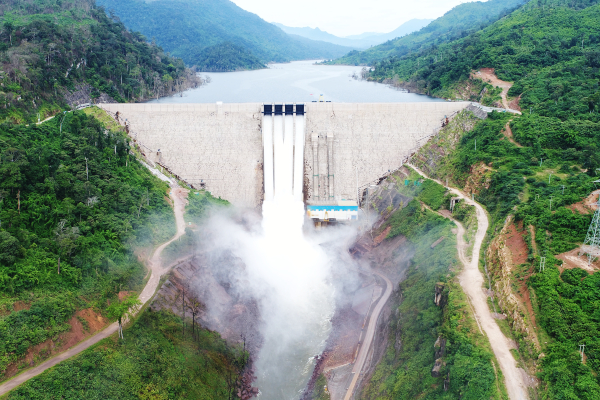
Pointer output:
x,y
364,139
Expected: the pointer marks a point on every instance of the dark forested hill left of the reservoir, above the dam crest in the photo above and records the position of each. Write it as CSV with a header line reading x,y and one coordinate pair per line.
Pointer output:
x,y
54,54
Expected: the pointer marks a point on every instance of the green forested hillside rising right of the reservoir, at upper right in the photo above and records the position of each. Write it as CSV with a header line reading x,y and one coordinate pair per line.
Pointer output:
x,y
551,52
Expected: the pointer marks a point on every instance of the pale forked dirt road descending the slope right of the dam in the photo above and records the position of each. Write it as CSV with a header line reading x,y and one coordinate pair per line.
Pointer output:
x,y
471,280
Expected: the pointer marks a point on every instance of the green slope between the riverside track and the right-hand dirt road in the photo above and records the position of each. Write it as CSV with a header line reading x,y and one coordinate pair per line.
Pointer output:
x,y
423,333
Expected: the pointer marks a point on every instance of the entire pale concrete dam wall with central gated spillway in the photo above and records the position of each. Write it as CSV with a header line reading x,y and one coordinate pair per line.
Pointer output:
x,y
227,149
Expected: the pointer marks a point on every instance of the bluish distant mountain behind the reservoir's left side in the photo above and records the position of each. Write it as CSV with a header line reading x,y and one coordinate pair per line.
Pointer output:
x,y
186,27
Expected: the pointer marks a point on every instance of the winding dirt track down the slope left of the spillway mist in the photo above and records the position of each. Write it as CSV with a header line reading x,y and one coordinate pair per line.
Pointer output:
x,y
178,195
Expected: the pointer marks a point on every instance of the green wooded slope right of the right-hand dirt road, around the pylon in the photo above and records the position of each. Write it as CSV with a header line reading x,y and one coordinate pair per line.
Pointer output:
x,y
536,179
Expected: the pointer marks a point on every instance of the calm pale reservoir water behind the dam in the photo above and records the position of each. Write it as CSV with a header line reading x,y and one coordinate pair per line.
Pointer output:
x,y
299,81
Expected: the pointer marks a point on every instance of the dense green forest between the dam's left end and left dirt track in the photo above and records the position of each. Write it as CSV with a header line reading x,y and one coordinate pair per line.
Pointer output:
x,y
75,204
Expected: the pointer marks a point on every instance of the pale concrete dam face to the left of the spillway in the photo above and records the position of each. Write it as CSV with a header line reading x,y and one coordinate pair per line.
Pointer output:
x,y
218,145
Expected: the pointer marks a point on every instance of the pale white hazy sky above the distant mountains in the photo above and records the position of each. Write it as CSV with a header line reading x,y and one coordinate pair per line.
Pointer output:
x,y
347,17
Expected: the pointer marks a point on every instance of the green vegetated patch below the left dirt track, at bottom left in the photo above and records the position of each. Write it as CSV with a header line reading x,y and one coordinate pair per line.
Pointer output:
x,y
155,361
